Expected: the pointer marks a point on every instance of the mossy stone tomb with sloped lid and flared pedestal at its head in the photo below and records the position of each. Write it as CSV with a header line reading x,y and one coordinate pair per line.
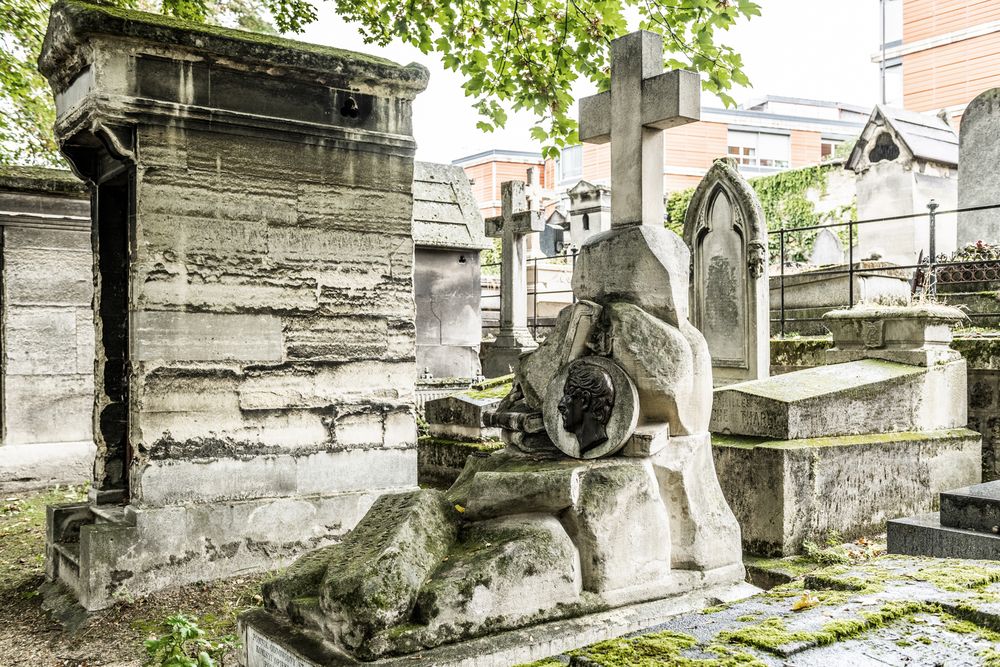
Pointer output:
x,y
844,447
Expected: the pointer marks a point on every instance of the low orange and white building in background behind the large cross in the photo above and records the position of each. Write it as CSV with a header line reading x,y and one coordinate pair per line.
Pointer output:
x,y
766,136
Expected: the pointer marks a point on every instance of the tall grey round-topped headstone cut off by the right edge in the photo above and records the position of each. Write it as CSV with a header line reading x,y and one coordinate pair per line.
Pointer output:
x,y
979,154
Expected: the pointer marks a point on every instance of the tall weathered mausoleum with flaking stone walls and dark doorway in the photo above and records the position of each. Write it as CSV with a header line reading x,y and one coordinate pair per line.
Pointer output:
x,y
255,318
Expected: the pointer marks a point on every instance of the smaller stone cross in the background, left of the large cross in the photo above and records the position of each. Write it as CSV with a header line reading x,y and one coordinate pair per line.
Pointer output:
x,y
516,221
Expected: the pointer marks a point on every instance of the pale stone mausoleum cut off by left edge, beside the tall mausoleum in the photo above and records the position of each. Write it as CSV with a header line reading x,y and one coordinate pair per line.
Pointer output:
x,y
48,328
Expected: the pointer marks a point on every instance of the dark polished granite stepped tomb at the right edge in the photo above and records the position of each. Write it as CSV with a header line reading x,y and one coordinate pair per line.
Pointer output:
x,y
967,526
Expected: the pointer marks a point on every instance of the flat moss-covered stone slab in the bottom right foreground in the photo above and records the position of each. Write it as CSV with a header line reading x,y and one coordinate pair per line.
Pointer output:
x,y
889,611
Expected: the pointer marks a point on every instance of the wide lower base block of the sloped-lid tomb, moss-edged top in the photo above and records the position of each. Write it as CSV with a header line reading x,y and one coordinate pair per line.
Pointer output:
x,y
845,484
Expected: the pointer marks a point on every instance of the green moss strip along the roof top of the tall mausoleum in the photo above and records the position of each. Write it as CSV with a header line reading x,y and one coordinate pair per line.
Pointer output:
x,y
159,20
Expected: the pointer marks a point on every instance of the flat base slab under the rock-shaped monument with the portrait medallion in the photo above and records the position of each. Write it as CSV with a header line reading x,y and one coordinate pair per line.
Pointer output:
x,y
265,636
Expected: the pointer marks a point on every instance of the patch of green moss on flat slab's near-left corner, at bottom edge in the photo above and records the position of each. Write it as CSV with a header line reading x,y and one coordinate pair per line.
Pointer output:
x,y
658,650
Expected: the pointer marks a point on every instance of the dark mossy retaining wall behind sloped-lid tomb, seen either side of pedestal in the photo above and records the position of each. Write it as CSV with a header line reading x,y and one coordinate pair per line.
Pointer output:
x,y
982,354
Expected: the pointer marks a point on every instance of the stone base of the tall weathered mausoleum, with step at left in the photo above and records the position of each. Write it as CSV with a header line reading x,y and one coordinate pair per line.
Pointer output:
x,y
104,553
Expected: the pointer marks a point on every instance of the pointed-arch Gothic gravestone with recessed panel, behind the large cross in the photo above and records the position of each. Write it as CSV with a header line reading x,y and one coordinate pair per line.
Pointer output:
x,y
725,229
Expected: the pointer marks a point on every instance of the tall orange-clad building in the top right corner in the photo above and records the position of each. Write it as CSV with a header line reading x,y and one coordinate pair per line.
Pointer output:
x,y
939,54
